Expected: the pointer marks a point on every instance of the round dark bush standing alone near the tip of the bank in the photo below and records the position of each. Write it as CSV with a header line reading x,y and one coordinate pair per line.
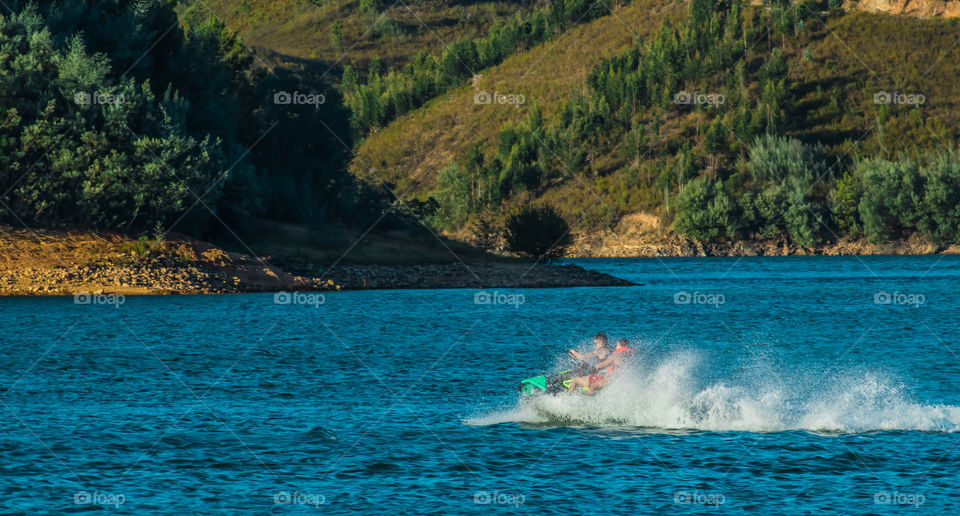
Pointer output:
x,y
538,231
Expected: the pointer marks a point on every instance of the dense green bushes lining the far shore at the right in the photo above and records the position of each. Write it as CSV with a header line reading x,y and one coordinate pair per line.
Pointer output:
x,y
789,189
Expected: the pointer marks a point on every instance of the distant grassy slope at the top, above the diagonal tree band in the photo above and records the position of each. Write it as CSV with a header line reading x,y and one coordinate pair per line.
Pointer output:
x,y
298,33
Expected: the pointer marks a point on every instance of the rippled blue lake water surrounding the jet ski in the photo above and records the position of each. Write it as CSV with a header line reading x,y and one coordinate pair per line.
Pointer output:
x,y
795,385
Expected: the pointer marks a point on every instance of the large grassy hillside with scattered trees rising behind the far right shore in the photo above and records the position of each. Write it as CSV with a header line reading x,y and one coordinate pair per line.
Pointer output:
x,y
822,71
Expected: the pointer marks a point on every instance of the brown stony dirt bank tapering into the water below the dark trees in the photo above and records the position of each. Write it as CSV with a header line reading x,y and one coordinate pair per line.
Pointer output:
x,y
72,262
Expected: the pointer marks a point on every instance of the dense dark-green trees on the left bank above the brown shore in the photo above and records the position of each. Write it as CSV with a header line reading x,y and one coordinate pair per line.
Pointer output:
x,y
107,122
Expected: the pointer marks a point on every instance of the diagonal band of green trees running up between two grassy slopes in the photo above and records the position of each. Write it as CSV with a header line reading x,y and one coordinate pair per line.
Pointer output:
x,y
380,96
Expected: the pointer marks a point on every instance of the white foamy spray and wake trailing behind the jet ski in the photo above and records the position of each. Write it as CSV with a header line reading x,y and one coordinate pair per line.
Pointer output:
x,y
676,394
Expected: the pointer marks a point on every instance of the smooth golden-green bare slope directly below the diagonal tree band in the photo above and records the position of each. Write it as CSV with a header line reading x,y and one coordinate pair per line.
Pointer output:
x,y
409,152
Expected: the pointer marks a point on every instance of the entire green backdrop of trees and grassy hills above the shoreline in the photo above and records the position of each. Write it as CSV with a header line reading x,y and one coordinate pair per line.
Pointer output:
x,y
719,120
